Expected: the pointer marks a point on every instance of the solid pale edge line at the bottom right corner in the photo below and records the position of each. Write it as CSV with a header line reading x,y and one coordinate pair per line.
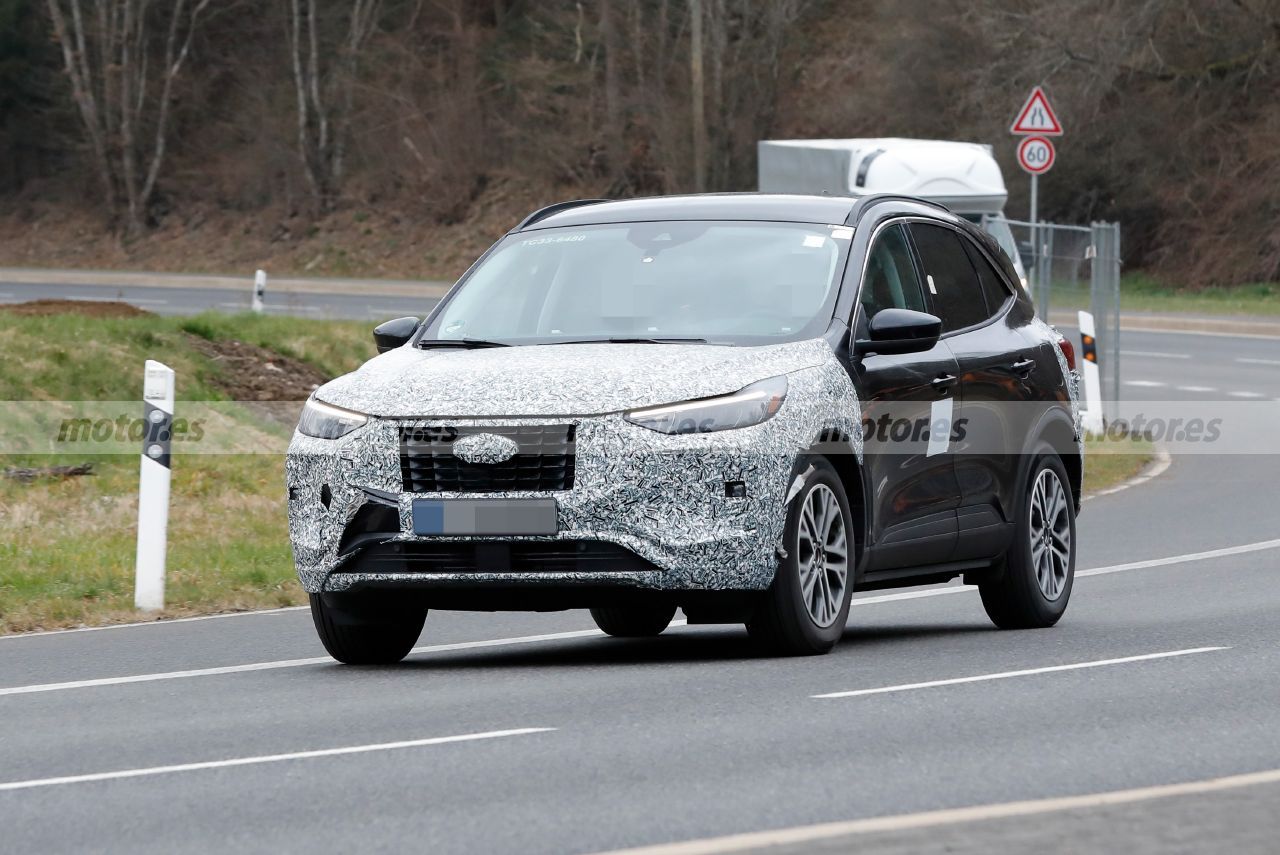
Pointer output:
x,y
950,817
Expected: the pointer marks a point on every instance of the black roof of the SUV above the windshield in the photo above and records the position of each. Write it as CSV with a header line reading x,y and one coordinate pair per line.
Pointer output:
x,y
776,208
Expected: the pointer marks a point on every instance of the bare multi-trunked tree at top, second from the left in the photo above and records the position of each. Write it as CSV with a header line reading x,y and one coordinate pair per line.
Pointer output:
x,y
326,90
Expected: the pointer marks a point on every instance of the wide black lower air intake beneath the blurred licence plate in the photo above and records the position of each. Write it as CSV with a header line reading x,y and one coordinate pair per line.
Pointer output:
x,y
496,557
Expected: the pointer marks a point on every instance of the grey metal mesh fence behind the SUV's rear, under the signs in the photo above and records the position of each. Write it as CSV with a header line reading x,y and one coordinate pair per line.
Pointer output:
x,y
1073,268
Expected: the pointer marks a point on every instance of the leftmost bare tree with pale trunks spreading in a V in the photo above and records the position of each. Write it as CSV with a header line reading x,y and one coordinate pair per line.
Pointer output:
x,y
121,100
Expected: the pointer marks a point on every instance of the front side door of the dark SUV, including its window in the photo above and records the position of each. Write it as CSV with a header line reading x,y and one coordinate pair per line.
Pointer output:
x,y
915,491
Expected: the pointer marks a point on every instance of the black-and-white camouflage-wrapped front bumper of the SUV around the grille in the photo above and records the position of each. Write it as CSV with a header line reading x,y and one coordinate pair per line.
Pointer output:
x,y
657,497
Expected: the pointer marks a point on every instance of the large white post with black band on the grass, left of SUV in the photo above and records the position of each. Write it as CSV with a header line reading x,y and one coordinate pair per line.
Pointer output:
x,y
158,390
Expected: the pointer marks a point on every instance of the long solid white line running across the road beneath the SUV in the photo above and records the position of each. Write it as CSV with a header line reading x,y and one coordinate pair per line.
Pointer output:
x,y
584,634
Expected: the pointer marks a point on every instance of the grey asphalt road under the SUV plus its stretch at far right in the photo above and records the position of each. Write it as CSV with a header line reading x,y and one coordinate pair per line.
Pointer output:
x,y
1174,620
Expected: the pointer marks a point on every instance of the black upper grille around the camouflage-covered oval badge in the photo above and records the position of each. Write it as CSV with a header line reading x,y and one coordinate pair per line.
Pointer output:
x,y
545,461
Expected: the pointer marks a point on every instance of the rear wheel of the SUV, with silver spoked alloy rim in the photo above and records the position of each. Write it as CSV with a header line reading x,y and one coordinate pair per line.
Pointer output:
x,y
1040,566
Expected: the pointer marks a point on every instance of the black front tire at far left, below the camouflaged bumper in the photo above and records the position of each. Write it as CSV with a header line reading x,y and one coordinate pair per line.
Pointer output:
x,y
365,637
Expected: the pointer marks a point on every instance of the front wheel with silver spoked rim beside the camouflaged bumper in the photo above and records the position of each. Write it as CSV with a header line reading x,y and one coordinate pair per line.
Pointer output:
x,y
806,610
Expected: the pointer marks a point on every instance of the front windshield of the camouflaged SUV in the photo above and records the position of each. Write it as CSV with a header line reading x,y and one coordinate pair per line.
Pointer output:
x,y
735,284
